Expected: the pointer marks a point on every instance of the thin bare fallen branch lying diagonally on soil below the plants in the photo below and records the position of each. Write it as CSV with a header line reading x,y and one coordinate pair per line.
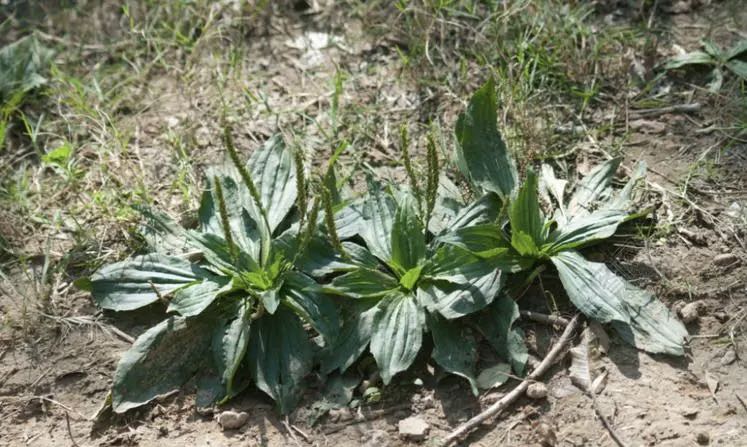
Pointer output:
x,y
495,409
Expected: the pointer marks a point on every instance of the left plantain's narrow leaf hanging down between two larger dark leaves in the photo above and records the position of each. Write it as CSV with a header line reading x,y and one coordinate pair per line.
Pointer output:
x,y
229,344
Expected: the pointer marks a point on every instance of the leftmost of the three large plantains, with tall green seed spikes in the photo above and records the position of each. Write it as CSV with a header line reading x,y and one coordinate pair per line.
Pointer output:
x,y
235,300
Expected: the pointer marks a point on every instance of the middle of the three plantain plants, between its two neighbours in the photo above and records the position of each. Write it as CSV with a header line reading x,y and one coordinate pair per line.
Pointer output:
x,y
402,283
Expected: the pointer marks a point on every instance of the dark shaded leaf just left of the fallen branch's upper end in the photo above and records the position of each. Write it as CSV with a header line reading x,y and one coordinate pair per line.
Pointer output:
x,y
497,326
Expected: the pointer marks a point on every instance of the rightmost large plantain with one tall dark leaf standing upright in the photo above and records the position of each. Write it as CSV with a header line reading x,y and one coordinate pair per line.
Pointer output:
x,y
524,236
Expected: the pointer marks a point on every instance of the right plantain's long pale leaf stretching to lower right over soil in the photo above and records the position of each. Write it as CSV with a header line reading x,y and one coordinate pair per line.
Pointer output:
x,y
639,318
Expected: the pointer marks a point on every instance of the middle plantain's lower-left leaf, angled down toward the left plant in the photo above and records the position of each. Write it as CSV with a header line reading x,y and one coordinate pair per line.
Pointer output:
x,y
354,337
